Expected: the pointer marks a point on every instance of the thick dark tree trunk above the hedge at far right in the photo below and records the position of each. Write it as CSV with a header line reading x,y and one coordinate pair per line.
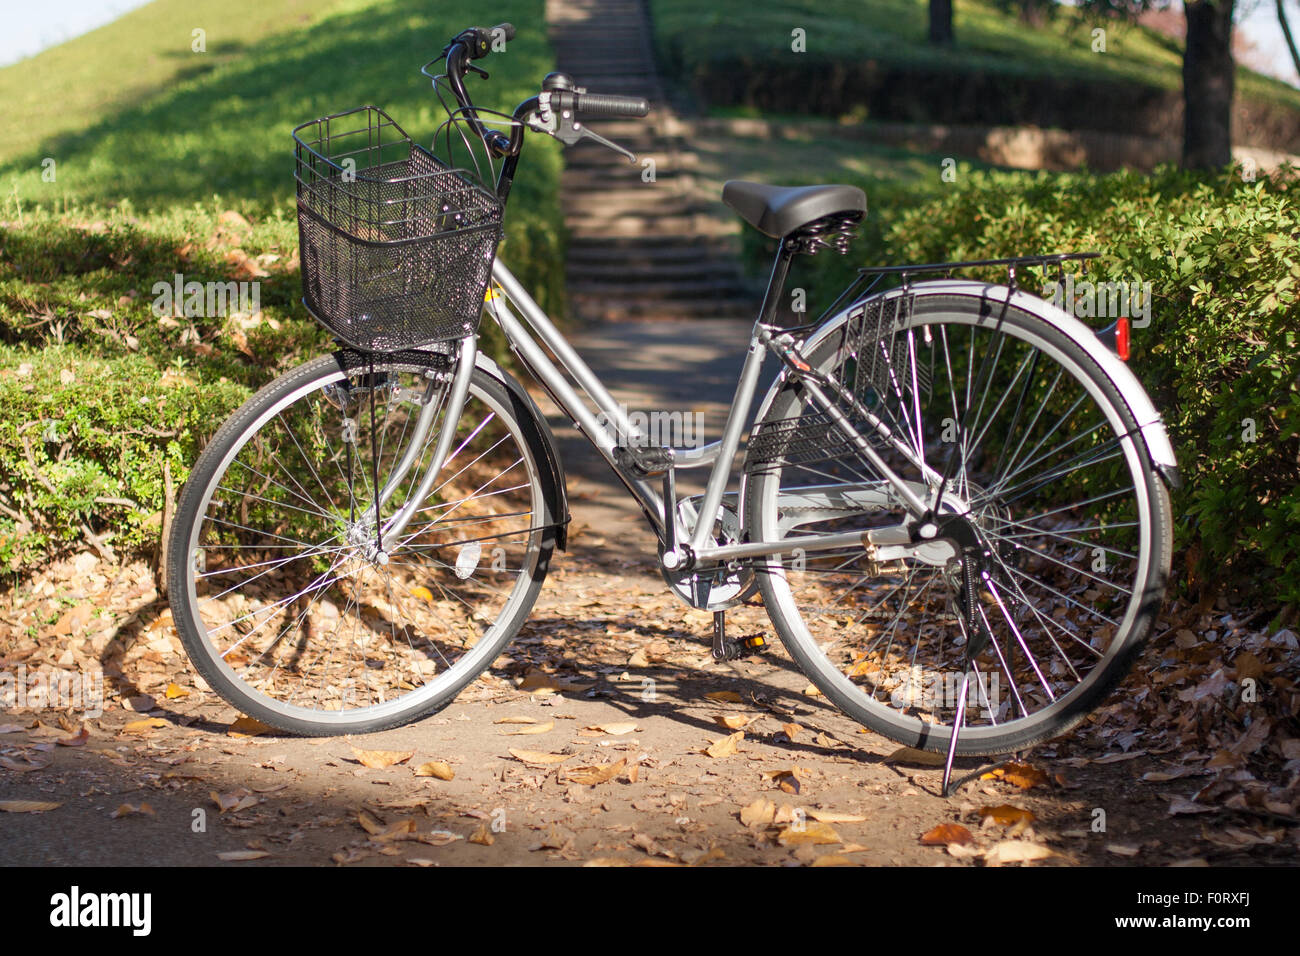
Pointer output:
x,y
1208,76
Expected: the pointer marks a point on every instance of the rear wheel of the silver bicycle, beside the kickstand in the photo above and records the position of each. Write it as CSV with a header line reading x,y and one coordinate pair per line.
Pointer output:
x,y
1042,470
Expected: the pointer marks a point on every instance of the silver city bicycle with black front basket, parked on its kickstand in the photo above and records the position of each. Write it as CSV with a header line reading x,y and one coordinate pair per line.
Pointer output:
x,y
954,504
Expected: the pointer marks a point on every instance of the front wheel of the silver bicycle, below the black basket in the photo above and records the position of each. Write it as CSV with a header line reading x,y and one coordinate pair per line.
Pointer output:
x,y
289,602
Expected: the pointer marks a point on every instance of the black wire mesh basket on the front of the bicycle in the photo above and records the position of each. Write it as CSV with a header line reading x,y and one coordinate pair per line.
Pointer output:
x,y
396,246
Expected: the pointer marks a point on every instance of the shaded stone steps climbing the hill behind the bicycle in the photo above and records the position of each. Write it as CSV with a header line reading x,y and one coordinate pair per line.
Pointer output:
x,y
644,241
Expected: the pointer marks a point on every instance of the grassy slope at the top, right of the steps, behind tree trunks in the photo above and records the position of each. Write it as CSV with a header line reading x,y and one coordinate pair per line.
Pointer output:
x,y
894,32
